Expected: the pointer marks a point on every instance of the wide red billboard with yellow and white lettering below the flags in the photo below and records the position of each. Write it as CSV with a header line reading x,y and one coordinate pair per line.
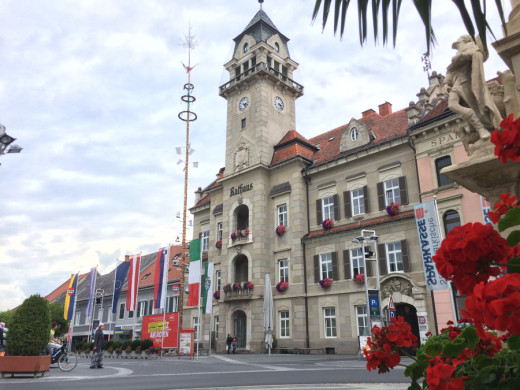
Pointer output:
x,y
153,329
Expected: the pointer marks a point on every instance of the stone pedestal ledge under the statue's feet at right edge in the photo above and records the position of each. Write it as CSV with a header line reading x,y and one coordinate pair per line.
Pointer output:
x,y
487,176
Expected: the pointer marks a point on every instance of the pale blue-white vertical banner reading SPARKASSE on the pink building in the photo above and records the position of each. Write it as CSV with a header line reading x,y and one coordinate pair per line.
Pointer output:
x,y
429,241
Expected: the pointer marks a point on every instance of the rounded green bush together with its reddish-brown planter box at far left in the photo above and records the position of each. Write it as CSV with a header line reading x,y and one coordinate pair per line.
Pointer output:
x,y
28,335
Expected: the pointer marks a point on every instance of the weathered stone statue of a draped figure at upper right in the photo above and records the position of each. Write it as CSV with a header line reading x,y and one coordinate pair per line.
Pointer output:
x,y
469,95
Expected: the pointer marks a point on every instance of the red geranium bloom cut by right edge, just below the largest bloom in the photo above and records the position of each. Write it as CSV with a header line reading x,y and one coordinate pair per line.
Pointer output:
x,y
496,304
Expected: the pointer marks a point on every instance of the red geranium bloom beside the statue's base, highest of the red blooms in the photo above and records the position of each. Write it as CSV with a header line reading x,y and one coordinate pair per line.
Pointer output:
x,y
507,141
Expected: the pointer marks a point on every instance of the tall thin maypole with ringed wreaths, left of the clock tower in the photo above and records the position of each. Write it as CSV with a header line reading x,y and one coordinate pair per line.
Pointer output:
x,y
186,116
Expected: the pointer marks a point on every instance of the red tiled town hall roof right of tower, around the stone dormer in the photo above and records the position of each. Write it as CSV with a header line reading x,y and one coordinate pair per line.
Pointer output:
x,y
384,127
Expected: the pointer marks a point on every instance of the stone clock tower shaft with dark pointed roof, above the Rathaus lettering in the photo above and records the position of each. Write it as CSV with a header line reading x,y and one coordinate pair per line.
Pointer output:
x,y
260,93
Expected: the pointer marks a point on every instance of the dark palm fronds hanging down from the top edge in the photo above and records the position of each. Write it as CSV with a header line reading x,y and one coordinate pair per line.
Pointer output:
x,y
381,11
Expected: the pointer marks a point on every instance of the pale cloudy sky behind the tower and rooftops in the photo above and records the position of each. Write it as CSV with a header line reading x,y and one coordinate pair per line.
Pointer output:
x,y
91,90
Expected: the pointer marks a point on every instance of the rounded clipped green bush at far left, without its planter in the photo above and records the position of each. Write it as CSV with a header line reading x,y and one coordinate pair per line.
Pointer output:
x,y
30,330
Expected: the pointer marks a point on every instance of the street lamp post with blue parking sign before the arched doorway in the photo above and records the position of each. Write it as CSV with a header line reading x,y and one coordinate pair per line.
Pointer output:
x,y
369,237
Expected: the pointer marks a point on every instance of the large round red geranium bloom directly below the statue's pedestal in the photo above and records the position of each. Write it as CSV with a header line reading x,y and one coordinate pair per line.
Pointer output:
x,y
468,254
